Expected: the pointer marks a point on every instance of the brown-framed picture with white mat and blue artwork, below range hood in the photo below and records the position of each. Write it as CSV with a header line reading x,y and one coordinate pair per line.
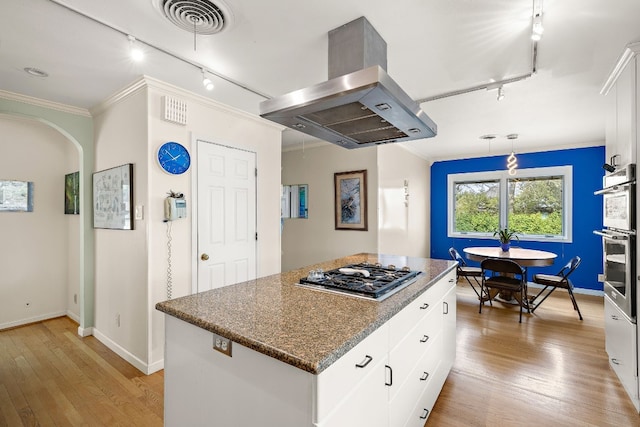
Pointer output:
x,y
351,200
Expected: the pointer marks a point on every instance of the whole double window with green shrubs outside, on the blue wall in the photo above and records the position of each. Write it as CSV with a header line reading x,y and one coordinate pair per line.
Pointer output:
x,y
536,203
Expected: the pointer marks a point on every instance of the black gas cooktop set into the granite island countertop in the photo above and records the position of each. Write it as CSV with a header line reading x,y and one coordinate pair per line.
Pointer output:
x,y
367,280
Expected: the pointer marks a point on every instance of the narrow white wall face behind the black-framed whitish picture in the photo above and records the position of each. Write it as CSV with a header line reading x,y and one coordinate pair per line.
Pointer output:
x,y
121,255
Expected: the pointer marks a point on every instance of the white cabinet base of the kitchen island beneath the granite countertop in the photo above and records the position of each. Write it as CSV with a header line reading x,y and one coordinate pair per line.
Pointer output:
x,y
392,378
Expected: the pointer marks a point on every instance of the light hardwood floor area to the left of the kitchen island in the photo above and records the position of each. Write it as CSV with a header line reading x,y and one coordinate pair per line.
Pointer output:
x,y
51,377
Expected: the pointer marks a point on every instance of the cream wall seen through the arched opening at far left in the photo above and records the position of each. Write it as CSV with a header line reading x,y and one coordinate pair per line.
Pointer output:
x,y
35,246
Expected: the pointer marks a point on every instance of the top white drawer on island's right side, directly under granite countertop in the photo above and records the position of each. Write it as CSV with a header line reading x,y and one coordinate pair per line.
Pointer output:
x,y
411,315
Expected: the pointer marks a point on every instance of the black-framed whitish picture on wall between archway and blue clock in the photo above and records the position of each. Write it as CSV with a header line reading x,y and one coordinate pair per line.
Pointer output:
x,y
113,198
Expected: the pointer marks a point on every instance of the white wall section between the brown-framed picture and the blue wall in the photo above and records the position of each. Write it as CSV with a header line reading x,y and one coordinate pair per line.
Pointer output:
x,y
403,230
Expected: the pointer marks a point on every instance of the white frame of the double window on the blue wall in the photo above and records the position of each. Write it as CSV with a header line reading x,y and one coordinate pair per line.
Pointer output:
x,y
566,172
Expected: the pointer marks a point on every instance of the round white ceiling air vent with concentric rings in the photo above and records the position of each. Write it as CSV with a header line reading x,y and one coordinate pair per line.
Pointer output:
x,y
202,17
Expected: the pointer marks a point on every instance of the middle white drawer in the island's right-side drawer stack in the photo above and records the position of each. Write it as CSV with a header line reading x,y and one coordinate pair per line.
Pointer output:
x,y
417,342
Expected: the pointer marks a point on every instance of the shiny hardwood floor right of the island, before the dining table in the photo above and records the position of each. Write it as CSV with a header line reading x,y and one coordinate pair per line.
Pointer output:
x,y
552,369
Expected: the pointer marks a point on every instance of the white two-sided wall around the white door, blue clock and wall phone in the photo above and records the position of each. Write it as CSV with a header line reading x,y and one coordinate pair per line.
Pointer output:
x,y
131,266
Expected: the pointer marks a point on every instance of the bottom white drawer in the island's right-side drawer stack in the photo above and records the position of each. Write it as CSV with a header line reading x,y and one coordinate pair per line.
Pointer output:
x,y
402,406
